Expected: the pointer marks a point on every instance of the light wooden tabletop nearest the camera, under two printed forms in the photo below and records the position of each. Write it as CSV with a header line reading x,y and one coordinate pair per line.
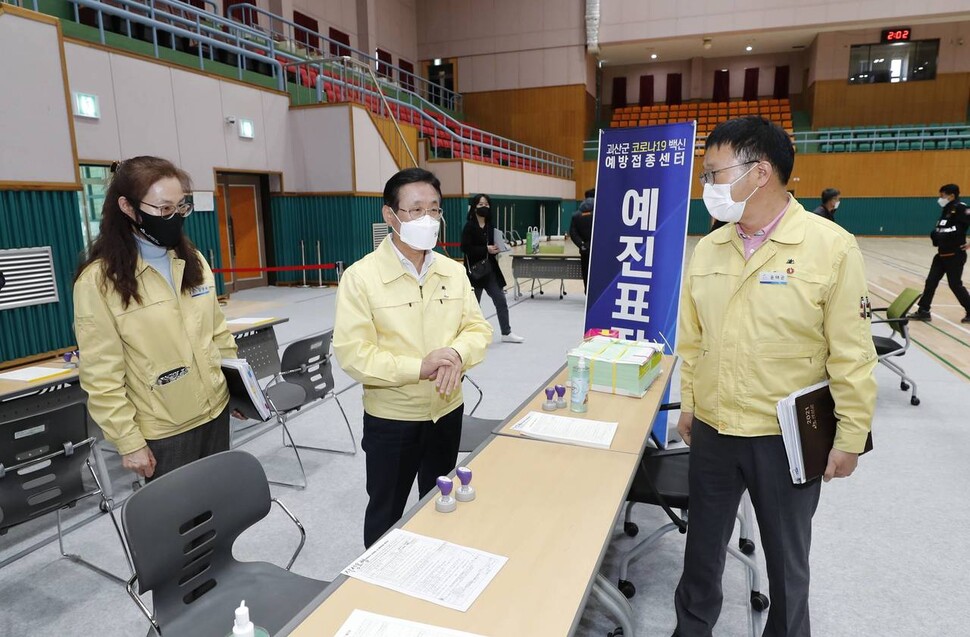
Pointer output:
x,y
550,508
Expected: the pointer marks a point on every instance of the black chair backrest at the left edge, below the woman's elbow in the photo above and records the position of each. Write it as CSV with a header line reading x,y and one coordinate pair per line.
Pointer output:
x,y
45,483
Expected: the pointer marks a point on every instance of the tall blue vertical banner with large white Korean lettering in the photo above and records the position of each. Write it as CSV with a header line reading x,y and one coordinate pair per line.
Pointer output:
x,y
639,233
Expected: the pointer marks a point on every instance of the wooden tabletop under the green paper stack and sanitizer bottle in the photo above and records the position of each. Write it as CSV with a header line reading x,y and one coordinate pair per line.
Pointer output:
x,y
634,415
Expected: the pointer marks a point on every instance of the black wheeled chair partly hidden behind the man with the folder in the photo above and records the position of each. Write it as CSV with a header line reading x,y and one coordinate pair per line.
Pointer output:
x,y
662,480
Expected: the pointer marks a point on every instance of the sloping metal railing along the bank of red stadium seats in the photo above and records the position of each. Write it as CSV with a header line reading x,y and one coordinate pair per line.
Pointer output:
x,y
344,75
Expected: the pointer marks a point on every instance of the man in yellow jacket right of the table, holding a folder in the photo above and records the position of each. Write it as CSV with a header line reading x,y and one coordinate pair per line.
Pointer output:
x,y
772,302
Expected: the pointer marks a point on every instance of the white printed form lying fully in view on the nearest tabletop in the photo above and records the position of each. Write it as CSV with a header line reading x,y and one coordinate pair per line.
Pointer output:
x,y
427,568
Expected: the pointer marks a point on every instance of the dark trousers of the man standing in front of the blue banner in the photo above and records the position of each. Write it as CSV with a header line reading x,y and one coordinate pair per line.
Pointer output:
x,y
721,468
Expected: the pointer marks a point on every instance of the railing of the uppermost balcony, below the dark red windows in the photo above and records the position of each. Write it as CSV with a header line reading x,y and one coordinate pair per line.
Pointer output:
x,y
297,39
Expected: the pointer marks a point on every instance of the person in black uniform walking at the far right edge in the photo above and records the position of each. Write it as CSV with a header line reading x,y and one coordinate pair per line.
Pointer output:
x,y
950,238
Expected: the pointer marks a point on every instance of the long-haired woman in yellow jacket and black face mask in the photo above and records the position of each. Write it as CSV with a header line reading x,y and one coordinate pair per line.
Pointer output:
x,y
149,327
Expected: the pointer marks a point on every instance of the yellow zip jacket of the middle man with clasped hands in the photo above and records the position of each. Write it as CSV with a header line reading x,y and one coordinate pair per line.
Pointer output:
x,y
386,323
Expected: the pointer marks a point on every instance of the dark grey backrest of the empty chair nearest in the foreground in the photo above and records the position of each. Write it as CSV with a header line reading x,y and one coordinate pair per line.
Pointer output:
x,y
181,527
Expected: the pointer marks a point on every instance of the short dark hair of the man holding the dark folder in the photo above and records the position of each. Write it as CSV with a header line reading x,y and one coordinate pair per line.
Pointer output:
x,y
754,138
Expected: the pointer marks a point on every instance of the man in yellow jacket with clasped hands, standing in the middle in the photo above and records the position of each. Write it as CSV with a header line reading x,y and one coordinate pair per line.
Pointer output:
x,y
407,326
